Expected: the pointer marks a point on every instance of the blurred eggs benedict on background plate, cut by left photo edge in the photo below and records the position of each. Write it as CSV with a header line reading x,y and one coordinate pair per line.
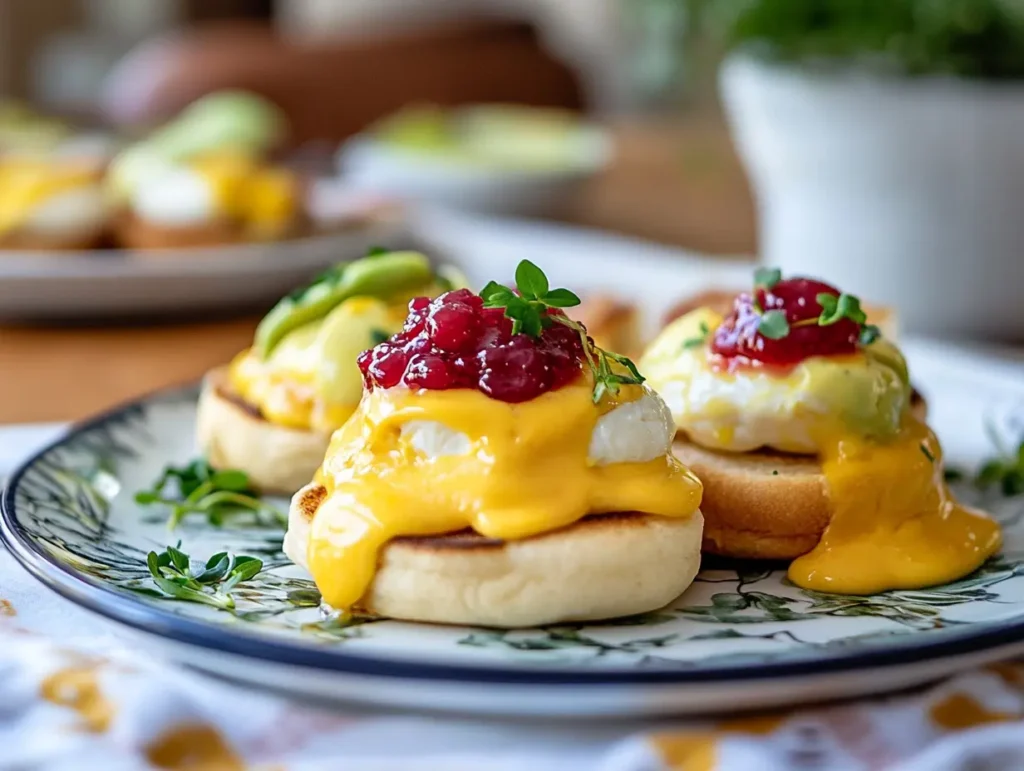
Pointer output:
x,y
51,204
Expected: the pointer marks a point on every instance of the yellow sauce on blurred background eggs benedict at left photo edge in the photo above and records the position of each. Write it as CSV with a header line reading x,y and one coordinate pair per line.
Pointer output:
x,y
26,185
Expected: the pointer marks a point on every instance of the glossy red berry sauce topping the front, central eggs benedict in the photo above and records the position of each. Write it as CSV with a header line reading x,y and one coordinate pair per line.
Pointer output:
x,y
455,342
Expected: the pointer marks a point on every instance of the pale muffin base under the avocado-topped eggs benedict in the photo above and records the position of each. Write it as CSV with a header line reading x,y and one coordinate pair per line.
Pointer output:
x,y
235,436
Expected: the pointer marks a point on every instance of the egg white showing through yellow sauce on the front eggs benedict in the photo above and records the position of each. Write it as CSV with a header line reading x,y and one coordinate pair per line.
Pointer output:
x,y
635,433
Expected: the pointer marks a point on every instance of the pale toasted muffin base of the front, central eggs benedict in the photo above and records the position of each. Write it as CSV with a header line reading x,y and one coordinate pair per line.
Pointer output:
x,y
604,567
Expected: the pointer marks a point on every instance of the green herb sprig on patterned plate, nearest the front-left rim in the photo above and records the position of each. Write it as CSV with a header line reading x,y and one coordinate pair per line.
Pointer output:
x,y
211,585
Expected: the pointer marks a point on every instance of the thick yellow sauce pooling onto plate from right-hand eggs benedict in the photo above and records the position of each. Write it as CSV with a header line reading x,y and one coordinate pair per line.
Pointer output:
x,y
894,523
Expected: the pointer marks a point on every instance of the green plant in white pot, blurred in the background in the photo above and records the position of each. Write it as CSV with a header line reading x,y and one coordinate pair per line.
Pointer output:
x,y
885,143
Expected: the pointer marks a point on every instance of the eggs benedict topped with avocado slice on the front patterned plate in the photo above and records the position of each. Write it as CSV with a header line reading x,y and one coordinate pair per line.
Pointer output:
x,y
271,413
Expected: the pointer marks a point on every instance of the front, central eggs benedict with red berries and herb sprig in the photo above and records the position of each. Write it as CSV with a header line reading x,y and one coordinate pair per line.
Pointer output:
x,y
500,470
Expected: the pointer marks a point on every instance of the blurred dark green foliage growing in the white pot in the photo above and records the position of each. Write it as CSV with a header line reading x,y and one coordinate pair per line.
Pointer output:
x,y
970,38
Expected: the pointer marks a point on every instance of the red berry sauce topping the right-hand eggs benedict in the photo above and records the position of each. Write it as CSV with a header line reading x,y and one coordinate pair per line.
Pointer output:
x,y
738,338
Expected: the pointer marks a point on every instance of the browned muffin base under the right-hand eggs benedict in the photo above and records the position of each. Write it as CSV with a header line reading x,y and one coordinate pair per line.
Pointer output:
x,y
763,505
